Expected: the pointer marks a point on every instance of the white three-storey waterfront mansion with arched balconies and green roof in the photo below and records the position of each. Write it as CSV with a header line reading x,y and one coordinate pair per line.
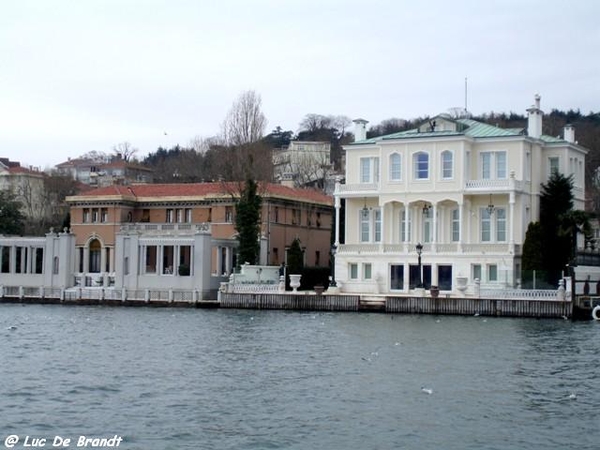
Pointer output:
x,y
464,190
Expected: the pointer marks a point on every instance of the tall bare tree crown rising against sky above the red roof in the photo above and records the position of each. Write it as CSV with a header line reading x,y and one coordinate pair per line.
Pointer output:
x,y
245,123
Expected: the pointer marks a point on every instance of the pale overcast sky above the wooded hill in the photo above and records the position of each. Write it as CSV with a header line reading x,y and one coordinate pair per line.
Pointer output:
x,y
85,75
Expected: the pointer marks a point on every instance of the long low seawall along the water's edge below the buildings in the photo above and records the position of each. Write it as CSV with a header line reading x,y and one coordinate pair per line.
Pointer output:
x,y
313,302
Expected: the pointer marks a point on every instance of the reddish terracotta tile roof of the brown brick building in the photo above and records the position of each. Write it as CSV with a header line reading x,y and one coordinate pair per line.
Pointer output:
x,y
201,190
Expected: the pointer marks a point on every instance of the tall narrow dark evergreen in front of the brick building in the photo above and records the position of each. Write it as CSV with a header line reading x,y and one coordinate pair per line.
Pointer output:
x,y
247,223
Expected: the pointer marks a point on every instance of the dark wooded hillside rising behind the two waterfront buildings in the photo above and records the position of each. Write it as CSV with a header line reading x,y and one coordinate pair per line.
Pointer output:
x,y
216,161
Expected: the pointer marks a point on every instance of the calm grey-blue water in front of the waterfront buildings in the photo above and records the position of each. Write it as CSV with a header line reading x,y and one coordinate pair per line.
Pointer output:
x,y
226,379
